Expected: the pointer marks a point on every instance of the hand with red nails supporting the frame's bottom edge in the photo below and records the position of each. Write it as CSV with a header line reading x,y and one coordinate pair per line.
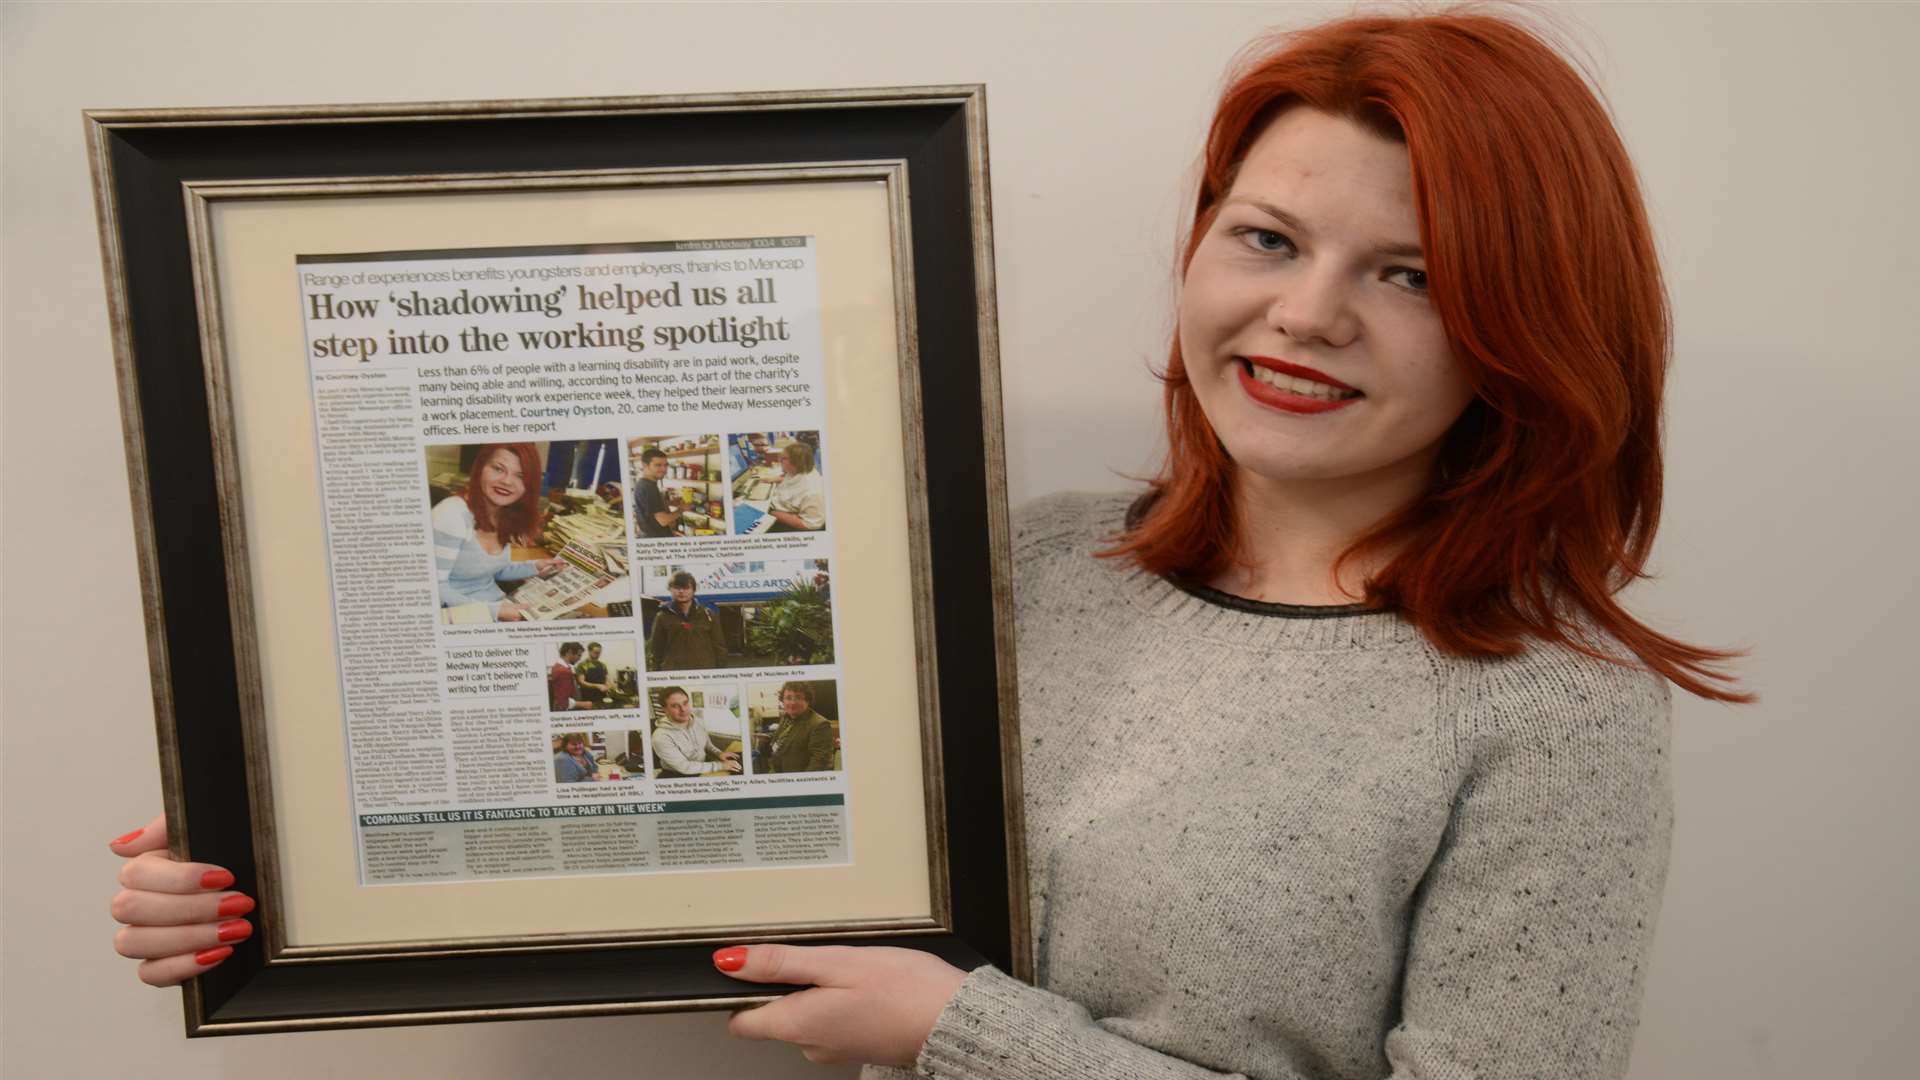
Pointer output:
x,y
869,1004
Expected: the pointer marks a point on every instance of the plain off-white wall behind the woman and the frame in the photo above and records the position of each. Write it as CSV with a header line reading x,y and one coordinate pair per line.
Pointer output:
x,y
1779,155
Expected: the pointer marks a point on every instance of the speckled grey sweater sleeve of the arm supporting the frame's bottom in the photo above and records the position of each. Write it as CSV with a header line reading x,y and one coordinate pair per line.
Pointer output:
x,y
1527,939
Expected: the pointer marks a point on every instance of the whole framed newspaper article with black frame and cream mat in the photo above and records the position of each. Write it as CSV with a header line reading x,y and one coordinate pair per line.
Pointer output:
x,y
573,537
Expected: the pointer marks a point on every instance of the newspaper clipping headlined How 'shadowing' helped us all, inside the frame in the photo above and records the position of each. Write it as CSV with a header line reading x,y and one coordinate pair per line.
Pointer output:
x,y
581,547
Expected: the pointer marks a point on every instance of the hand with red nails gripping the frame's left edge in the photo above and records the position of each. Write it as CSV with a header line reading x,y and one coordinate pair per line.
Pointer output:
x,y
180,918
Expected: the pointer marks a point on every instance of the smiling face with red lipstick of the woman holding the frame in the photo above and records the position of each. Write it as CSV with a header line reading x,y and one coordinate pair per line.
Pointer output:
x,y
1305,316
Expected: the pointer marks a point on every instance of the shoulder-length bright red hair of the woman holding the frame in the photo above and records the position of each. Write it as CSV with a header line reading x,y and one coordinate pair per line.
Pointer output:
x,y
1545,276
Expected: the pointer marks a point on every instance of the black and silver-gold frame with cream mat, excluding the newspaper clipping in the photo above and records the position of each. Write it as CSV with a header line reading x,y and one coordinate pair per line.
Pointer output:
x,y
239,745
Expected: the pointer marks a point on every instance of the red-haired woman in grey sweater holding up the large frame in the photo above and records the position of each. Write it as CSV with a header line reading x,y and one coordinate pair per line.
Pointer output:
x,y
1341,758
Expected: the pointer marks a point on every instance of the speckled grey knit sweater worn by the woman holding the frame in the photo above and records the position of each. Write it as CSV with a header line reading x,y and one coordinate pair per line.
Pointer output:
x,y
1307,845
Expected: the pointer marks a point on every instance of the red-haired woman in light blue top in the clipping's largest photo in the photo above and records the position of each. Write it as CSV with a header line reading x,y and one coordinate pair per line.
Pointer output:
x,y
477,529
